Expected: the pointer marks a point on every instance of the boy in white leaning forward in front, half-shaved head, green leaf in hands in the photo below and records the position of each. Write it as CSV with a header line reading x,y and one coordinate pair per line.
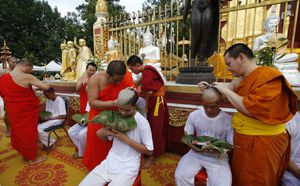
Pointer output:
x,y
122,163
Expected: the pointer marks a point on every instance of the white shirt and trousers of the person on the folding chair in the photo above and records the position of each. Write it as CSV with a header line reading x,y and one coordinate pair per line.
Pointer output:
x,y
57,108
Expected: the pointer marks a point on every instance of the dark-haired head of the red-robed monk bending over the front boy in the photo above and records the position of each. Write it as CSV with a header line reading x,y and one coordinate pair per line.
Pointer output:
x,y
116,71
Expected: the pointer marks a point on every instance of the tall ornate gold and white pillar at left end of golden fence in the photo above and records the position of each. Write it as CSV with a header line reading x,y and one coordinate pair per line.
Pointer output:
x,y
100,30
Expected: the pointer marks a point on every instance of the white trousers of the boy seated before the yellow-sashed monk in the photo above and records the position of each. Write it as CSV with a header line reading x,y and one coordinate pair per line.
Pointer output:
x,y
218,171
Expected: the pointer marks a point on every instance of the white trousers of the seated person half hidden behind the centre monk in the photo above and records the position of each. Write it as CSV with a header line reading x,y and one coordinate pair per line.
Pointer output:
x,y
77,134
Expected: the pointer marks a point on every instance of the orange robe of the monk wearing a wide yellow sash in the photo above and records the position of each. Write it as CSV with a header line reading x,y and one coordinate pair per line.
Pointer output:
x,y
259,159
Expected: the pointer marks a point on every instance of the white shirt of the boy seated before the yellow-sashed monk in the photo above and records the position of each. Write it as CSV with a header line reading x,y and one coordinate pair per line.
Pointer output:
x,y
218,127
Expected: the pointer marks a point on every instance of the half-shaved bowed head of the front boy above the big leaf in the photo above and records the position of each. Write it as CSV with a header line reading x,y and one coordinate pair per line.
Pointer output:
x,y
127,99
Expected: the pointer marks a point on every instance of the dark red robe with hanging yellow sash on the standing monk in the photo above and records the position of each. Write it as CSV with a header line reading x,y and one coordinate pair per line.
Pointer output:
x,y
157,109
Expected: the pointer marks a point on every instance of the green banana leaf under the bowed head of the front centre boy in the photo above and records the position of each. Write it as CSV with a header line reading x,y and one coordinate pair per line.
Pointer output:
x,y
115,120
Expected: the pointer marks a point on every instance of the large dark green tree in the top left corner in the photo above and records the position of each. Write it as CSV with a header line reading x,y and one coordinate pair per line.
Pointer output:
x,y
32,29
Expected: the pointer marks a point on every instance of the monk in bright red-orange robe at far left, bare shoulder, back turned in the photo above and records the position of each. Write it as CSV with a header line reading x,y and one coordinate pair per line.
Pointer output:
x,y
22,106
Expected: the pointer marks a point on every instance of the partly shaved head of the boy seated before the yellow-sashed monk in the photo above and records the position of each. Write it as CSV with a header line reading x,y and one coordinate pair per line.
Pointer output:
x,y
211,101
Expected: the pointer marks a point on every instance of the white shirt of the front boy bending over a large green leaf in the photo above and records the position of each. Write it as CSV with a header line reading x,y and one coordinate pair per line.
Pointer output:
x,y
124,159
